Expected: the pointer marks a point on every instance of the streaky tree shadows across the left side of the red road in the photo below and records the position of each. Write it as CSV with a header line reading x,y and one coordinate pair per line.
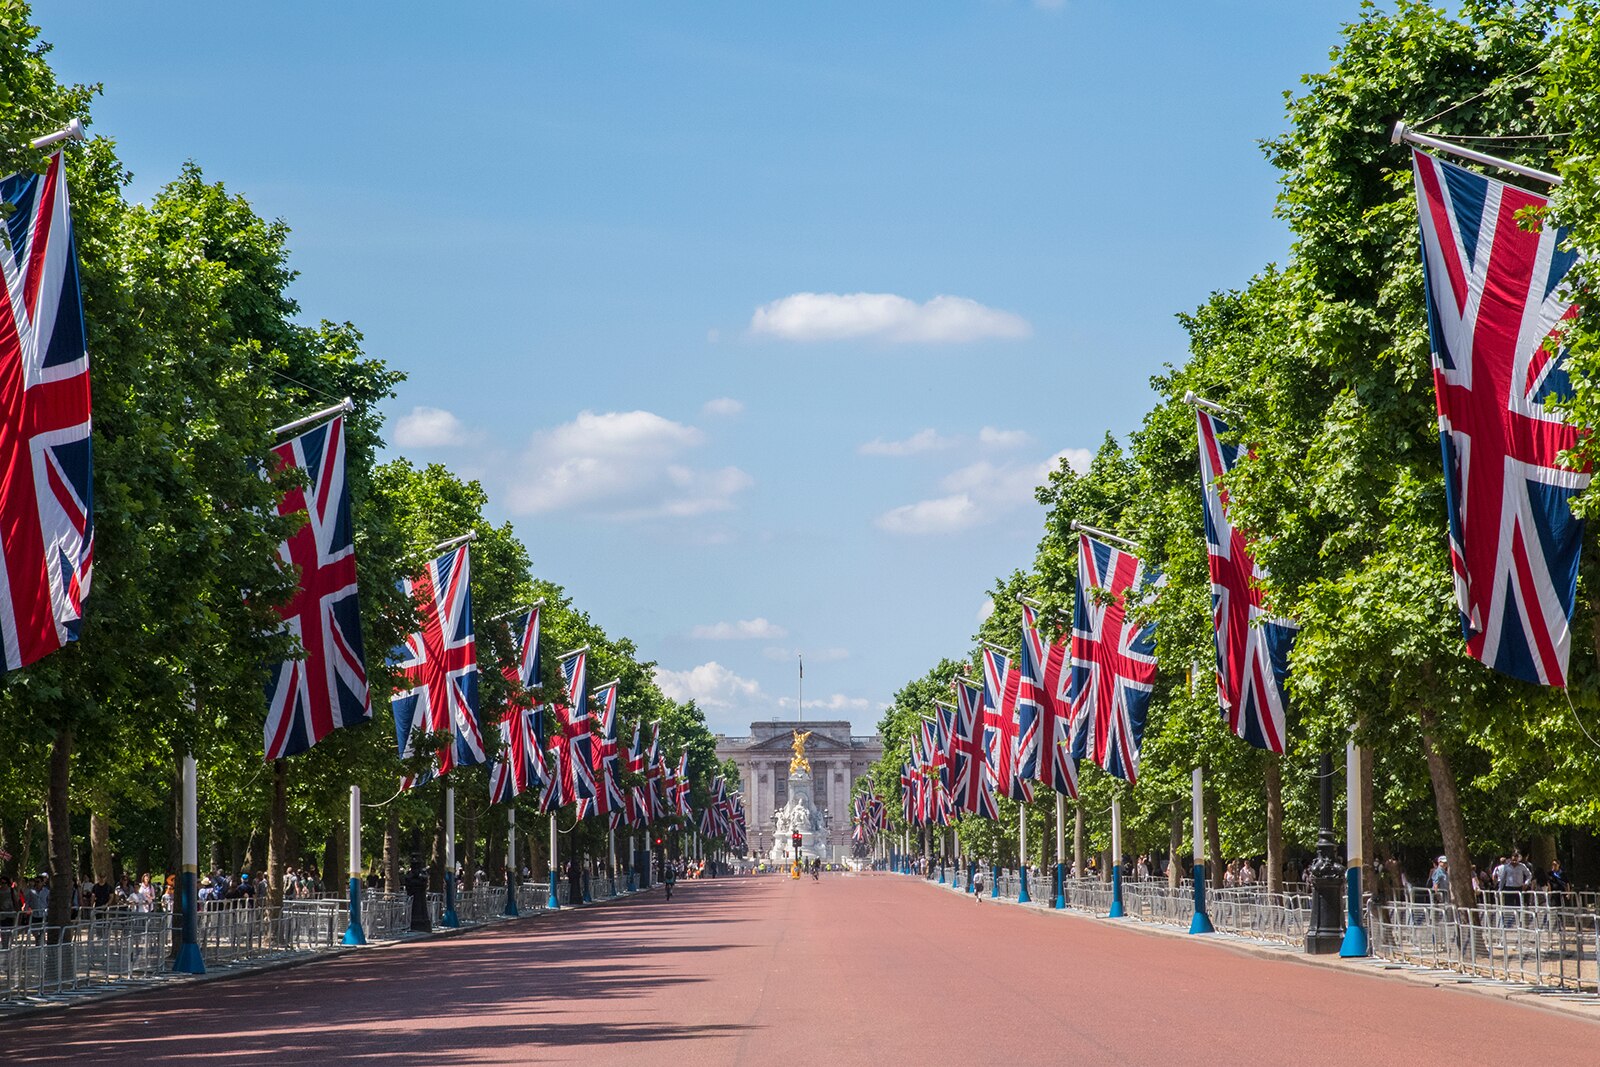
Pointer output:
x,y
514,986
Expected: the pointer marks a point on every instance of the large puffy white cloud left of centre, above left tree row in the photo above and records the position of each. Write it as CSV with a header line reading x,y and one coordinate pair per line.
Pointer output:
x,y
623,465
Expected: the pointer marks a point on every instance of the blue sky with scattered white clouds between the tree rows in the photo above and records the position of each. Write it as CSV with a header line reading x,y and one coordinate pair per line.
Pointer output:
x,y
761,322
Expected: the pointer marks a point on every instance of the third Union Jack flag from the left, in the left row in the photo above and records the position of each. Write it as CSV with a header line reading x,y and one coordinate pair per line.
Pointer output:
x,y
441,663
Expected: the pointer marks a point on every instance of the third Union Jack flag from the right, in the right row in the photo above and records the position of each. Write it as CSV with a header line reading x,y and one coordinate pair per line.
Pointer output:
x,y
1113,660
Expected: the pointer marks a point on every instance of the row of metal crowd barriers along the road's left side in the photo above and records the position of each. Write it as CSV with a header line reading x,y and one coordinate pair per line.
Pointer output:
x,y
116,946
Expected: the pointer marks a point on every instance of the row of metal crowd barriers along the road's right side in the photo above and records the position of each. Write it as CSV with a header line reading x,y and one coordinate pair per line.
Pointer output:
x,y
1532,938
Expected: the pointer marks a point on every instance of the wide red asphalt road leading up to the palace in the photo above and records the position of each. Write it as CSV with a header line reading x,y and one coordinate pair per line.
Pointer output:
x,y
852,970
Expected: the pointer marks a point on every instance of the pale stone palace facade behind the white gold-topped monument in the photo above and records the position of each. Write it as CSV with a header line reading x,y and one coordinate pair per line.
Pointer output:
x,y
838,761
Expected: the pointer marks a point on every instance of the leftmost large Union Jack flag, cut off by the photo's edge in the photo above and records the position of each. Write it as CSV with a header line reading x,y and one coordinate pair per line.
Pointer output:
x,y
47,494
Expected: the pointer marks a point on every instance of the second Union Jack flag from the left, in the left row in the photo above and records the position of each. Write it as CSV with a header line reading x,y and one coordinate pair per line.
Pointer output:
x,y
310,698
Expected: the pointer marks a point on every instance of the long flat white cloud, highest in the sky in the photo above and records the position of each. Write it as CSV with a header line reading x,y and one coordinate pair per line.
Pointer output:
x,y
886,318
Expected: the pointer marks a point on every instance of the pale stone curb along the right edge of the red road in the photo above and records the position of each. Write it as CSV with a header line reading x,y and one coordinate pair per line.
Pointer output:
x,y
1554,1001
